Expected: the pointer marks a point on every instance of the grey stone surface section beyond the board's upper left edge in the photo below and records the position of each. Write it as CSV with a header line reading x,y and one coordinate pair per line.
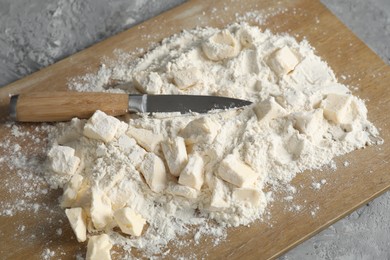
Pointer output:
x,y
34,34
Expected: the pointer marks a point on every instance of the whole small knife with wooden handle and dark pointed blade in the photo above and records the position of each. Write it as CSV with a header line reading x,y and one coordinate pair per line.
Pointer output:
x,y
63,106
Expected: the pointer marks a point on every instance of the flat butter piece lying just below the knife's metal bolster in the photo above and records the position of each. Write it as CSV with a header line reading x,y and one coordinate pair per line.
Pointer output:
x,y
145,138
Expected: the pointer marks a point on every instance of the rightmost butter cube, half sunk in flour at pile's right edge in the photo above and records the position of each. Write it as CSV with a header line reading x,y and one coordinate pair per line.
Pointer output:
x,y
337,108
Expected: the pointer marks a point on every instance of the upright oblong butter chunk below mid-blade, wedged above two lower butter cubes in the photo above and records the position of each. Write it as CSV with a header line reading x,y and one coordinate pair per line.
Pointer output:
x,y
175,154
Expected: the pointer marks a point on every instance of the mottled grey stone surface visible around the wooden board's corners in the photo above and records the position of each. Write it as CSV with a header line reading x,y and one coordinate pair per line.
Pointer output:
x,y
34,34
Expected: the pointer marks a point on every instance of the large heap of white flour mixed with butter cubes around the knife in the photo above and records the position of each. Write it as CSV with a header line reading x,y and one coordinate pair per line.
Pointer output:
x,y
300,119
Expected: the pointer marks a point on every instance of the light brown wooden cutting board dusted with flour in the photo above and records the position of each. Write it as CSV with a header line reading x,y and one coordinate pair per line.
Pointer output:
x,y
346,189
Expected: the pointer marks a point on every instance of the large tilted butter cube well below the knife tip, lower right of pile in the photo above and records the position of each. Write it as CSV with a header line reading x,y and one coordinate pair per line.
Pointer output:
x,y
236,172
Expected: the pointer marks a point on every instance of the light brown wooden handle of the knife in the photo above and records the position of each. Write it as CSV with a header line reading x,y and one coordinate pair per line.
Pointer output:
x,y
63,106
